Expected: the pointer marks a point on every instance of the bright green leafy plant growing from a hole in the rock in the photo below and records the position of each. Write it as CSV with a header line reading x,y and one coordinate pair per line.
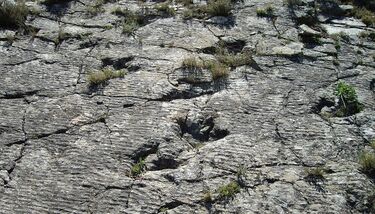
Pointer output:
x,y
348,100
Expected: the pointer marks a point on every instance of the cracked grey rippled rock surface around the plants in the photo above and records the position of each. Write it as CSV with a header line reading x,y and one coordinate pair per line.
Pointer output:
x,y
66,147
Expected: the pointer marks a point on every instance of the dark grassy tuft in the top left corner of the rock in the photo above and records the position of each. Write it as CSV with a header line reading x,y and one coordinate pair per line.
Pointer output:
x,y
13,15
